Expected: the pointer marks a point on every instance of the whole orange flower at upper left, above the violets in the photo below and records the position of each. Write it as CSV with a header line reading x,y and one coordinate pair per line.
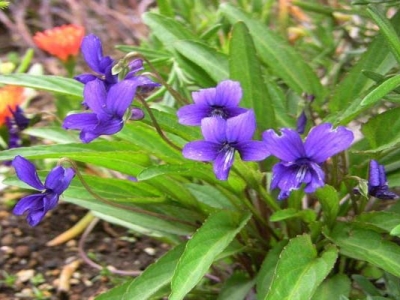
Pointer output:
x,y
62,41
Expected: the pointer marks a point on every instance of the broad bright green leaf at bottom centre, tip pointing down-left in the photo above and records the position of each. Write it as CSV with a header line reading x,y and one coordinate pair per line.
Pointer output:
x,y
201,250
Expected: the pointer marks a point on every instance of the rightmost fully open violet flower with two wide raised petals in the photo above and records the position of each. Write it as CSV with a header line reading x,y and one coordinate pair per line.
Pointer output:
x,y
300,162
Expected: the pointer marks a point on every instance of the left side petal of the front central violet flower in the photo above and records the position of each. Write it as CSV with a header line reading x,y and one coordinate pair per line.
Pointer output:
x,y
201,150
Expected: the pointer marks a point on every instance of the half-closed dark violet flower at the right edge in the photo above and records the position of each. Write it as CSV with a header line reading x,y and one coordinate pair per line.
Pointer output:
x,y
377,183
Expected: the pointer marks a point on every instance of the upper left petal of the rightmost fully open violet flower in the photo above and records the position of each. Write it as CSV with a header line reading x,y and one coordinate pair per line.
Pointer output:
x,y
287,147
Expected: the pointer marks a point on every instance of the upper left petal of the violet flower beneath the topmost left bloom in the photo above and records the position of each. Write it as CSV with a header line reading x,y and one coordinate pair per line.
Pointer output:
x,y
95,96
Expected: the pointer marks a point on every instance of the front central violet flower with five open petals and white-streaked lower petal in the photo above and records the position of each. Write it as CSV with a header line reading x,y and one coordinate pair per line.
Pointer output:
x,y
222,138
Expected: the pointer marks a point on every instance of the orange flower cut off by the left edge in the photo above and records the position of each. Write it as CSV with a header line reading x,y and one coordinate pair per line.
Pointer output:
x,y
10,97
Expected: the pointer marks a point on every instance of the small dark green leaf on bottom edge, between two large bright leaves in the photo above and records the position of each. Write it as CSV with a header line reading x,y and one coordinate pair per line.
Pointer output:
x,y
236,287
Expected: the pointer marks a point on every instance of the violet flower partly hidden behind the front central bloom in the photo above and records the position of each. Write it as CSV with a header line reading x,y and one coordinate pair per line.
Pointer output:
x,y
221,101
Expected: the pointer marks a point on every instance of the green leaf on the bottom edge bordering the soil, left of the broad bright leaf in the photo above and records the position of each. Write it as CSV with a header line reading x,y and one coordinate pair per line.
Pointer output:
x,y
153,279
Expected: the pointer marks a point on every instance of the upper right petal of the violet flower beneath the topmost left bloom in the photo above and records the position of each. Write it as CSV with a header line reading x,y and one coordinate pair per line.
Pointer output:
x,y
120,96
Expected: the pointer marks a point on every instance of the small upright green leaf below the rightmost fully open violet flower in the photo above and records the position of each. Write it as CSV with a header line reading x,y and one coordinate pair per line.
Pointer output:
x,y
328,197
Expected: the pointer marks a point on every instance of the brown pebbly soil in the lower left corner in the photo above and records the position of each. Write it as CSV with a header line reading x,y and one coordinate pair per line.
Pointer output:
x,y
31,270
